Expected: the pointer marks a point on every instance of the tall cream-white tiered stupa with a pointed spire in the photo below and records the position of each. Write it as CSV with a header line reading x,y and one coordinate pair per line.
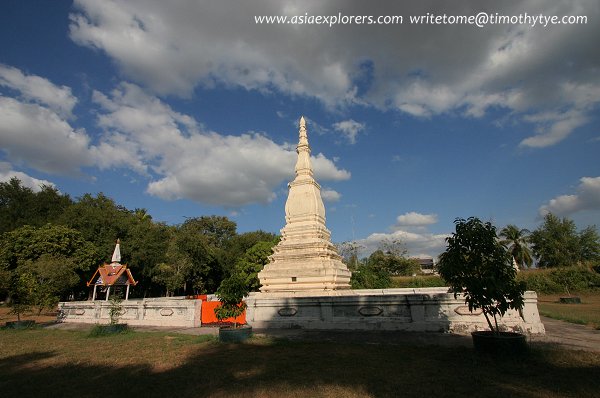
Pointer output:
x,y
305,259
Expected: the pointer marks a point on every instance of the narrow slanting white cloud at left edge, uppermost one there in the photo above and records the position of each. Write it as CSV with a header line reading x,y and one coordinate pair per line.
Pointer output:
x,y
39,90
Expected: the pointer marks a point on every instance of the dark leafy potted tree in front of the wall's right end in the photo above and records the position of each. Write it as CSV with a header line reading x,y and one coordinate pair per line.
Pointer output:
x,y
478,266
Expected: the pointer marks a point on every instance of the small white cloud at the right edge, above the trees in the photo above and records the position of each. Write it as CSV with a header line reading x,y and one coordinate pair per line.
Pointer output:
x,y
586,198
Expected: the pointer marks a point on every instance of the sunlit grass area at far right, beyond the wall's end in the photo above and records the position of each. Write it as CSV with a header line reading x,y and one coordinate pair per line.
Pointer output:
x,y
586,313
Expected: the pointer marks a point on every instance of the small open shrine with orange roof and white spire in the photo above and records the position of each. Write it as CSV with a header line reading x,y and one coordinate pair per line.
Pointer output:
x,y
112,275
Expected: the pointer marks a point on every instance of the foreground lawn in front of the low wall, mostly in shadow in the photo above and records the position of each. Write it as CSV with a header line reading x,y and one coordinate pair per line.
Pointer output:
x,y
43,362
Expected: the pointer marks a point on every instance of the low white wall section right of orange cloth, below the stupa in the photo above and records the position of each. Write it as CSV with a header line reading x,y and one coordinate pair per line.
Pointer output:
x,y
426,309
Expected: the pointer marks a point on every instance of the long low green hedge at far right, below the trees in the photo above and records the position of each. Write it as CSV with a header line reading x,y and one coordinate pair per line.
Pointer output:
x,y
561,280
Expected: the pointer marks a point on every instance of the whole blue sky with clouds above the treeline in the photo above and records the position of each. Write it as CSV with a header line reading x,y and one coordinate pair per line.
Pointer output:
x,y
190,108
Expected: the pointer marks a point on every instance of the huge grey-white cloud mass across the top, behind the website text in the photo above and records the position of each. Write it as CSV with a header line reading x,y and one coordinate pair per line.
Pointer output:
x,y
459,69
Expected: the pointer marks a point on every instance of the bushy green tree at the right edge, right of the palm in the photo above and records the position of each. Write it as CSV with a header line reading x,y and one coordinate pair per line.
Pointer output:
x,y
556,243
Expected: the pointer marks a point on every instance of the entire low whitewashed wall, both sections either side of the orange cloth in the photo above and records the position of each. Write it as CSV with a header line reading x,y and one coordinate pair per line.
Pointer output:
x,y
424,309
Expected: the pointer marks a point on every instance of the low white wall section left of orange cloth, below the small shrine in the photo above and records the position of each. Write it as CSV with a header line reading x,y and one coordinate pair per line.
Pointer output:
x,y
172,311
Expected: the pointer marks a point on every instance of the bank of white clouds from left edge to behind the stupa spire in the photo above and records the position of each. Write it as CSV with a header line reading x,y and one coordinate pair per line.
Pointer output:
x,y
142,133
